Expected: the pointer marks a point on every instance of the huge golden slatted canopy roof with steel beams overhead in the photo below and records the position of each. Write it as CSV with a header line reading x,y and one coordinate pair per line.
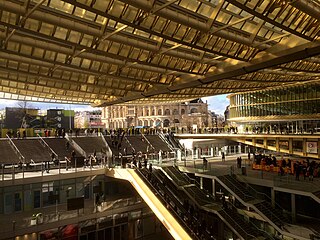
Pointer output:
x,y
107,52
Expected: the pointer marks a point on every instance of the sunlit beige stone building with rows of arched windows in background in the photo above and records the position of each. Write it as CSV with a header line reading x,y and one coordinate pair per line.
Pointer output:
x,y
193,114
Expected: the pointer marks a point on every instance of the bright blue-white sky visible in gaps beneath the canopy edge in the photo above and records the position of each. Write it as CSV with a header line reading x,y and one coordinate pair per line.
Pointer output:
x,y
216,103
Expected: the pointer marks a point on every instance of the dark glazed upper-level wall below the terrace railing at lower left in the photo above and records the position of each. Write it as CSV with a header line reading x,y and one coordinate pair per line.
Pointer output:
x,y
33,196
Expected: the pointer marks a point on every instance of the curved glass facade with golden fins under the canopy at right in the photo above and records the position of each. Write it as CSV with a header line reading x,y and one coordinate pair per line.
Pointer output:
x,y
297,100
